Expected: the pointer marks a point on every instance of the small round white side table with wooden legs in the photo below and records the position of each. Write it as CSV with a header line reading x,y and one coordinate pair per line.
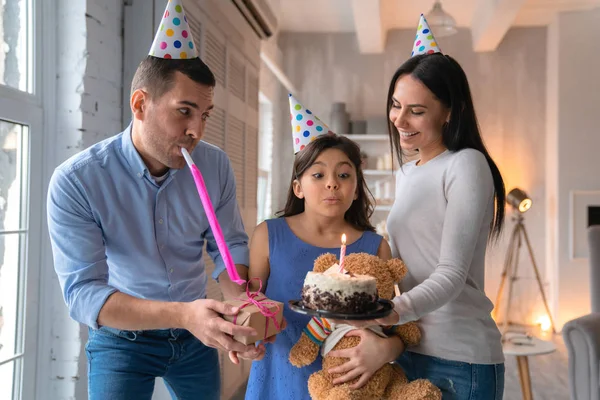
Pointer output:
x,y
522,346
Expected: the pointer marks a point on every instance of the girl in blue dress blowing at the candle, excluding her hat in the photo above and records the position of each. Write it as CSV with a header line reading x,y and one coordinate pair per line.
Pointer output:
x,y
327,198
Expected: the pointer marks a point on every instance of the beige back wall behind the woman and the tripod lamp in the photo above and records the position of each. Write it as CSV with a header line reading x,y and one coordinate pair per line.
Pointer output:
x,y
508,87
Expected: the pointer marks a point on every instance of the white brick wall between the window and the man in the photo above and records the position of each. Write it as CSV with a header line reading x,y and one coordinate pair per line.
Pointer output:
x,y
88,109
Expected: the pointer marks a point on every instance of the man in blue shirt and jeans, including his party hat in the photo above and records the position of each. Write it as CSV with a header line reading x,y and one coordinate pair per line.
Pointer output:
x,y
128,228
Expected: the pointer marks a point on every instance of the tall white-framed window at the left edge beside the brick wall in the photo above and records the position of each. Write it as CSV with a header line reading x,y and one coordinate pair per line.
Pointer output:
x,y
21,195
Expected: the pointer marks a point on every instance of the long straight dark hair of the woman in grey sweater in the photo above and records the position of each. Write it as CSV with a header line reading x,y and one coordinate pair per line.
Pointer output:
x,y
445,78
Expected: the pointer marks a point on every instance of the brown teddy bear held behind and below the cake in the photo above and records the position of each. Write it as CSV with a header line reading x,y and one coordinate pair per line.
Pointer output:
x,y
390,381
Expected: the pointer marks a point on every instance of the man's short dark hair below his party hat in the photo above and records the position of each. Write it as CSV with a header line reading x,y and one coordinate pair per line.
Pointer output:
x,y
156,75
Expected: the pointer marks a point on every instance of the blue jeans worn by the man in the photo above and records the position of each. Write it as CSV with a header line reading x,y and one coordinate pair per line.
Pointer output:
x,y
123,365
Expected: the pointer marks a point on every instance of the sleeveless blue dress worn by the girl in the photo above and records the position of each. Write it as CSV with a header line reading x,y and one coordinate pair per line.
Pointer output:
x,y
274,378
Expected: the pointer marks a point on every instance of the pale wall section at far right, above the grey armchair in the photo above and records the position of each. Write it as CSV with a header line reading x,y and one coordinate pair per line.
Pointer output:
x,y
574,140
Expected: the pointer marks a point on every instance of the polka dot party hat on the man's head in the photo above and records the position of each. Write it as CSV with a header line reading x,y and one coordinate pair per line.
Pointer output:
x,y
174,38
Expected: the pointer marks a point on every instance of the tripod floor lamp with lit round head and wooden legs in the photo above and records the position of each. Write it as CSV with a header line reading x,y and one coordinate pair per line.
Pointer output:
x,y
519,200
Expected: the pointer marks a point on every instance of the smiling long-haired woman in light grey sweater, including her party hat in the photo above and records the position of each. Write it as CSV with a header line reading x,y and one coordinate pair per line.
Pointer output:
x,y
449,204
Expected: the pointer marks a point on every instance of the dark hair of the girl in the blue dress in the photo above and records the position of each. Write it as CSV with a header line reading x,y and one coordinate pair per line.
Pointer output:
x,y
361,209
